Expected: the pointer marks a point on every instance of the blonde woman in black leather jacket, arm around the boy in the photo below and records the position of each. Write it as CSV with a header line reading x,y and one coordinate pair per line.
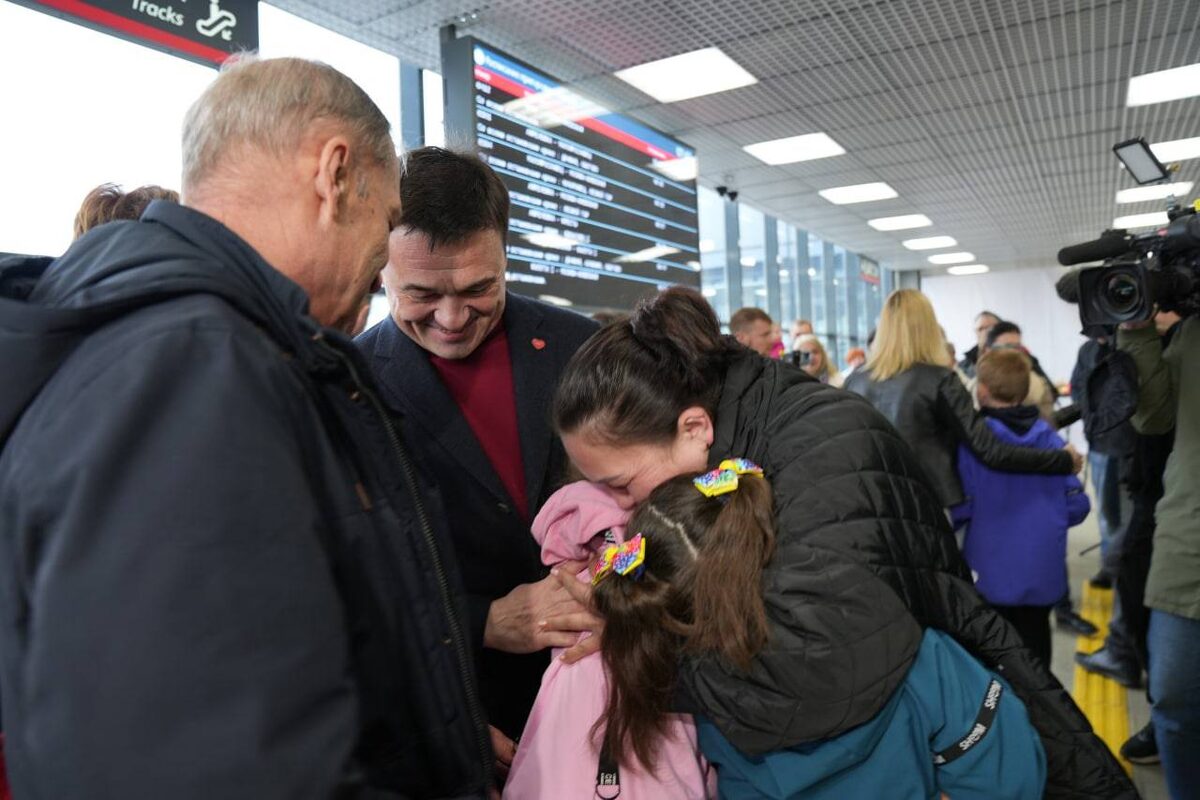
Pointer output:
x,y
908,381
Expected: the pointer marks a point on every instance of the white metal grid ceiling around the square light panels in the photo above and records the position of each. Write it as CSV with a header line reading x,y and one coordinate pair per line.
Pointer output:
x,y
993,118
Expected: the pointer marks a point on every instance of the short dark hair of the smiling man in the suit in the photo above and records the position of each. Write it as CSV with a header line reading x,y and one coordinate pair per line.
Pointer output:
x,y
451,196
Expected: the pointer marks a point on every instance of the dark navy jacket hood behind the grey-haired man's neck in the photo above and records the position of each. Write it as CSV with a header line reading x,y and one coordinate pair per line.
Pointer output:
x,y
50,306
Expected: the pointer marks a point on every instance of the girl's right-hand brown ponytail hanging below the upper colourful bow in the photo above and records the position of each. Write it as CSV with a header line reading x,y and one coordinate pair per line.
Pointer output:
x,y
729,612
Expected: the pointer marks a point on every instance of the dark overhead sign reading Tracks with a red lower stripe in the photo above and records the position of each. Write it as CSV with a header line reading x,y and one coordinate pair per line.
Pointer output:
x,y
208,32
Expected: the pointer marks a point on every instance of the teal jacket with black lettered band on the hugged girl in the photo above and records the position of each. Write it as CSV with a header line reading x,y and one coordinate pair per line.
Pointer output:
x,y
951,727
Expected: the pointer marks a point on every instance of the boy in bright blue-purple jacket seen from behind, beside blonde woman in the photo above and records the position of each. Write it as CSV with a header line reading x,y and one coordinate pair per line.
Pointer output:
x,y
1017,525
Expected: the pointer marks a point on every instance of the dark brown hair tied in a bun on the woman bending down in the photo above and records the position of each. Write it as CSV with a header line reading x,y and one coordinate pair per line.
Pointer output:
x,y
629,383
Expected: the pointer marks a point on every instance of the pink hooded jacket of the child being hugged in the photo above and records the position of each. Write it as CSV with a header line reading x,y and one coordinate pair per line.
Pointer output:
x,y
559,755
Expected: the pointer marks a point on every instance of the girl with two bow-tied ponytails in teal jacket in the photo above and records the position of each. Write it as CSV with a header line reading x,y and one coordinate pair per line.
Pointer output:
x,y
695,585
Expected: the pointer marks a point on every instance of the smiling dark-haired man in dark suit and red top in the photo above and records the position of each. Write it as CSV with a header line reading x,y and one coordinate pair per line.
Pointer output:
x,y
471,370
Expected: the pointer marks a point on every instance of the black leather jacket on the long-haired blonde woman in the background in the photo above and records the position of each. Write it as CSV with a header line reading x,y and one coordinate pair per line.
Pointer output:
x,y
934,413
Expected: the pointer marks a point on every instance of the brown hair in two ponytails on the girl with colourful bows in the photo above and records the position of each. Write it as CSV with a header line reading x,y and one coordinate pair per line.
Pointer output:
x,y
701,592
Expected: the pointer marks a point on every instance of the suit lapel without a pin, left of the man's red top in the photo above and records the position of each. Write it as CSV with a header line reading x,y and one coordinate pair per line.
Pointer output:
x,y
412,386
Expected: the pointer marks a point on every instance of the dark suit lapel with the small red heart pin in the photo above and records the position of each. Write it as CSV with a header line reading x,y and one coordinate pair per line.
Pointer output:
x,y
532,352
